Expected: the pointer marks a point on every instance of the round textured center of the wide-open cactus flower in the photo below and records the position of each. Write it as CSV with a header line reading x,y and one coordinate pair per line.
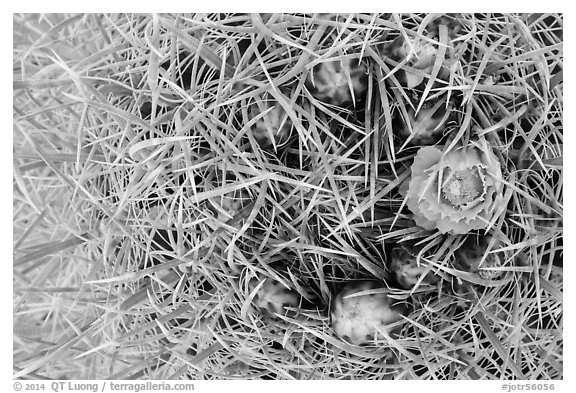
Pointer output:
x,y
463,187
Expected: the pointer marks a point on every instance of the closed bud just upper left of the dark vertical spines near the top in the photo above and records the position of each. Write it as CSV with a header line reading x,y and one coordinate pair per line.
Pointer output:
x,y
338,81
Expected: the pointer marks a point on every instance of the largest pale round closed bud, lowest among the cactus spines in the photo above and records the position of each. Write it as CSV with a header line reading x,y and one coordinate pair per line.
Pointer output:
x,y
361,318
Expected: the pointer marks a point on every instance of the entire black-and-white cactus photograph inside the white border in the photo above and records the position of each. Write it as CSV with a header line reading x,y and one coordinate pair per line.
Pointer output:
x,y
287,196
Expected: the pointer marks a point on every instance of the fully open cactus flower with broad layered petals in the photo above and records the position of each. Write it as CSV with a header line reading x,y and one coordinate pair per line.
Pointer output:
x,y
455,192
